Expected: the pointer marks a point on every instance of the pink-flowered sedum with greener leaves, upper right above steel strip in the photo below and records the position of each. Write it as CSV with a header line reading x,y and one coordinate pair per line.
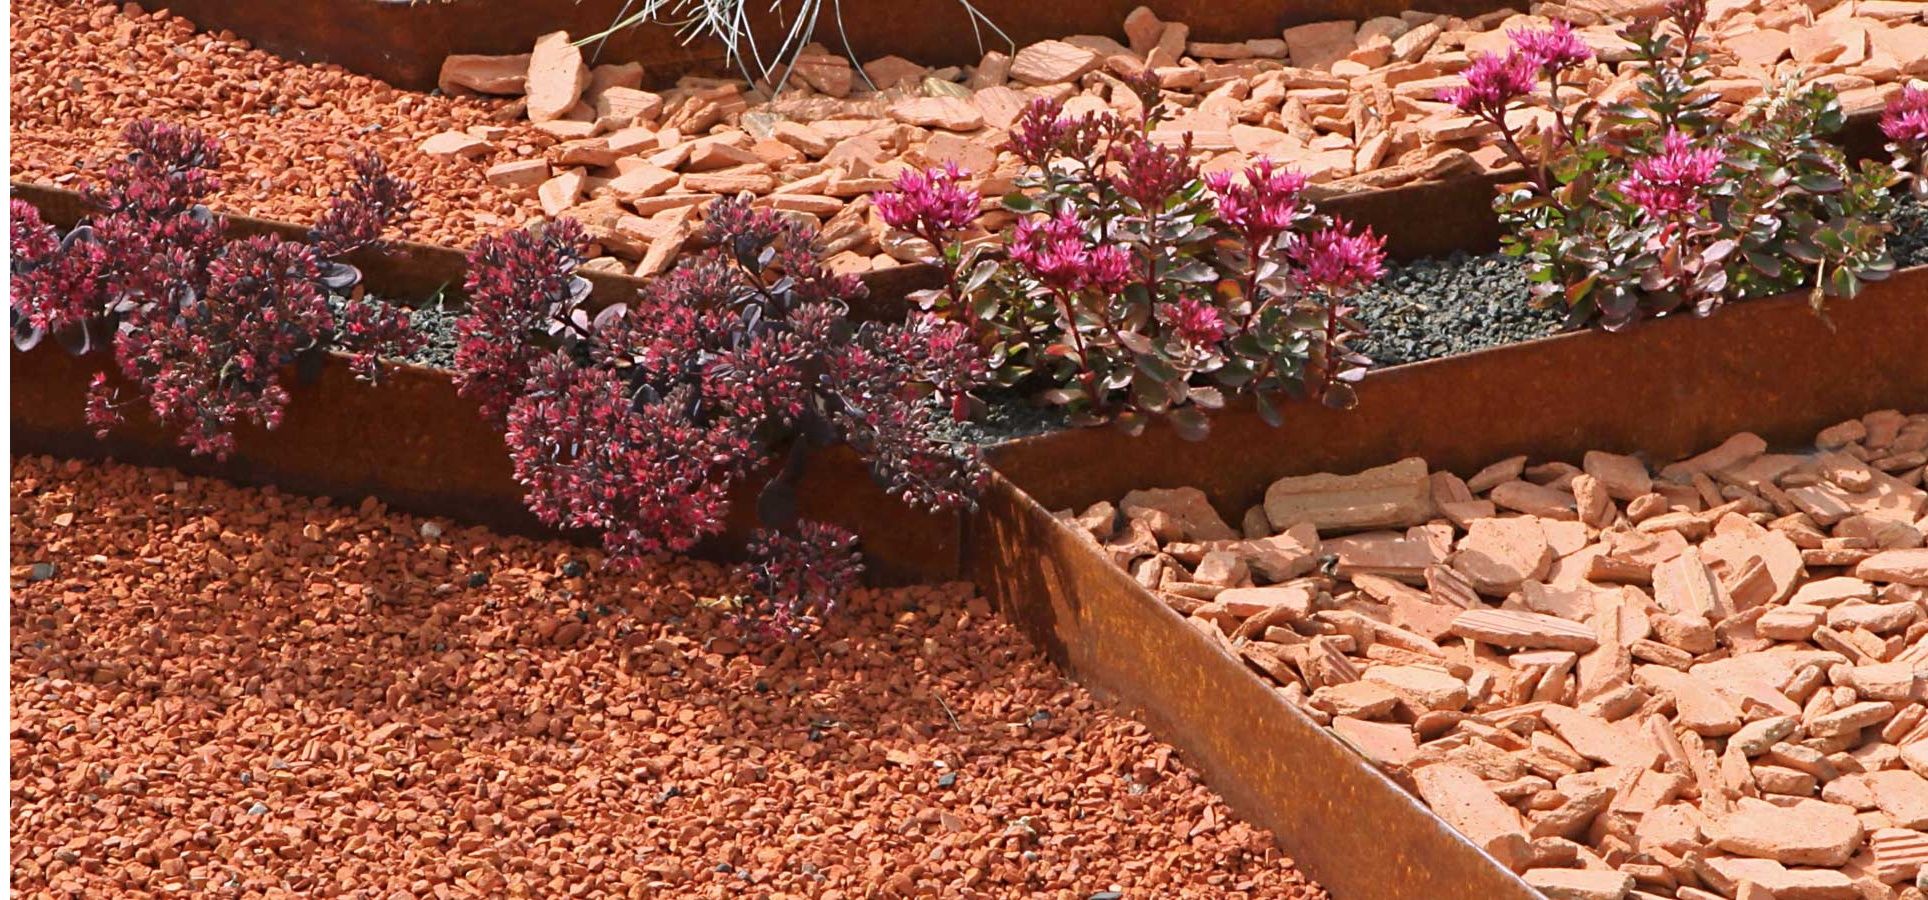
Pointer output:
x,y
1657,203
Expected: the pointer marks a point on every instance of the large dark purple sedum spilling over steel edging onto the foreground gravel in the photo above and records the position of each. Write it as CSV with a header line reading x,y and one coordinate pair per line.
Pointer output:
x,y
647,419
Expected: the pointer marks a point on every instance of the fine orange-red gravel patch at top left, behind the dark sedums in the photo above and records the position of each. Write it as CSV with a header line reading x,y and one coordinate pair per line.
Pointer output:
x,y
84,70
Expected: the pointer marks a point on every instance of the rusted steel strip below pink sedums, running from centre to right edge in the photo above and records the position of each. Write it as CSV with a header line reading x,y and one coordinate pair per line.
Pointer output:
x,y
1663,388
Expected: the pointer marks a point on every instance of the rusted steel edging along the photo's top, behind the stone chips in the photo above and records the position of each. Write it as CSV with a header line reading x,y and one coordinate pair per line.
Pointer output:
x,y
404,43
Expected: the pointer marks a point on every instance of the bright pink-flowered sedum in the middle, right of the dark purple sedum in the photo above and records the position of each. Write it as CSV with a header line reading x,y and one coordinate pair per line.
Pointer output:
x,y
1138,288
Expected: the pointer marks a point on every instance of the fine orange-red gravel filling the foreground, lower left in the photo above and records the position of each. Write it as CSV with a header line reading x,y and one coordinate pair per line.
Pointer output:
x,y
255,695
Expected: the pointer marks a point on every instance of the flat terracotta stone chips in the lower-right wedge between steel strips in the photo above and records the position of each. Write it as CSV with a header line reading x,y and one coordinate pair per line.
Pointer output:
x,y
1615,677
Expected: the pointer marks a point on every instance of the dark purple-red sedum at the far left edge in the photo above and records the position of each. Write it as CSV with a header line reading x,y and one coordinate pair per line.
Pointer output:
x,y
200,323
